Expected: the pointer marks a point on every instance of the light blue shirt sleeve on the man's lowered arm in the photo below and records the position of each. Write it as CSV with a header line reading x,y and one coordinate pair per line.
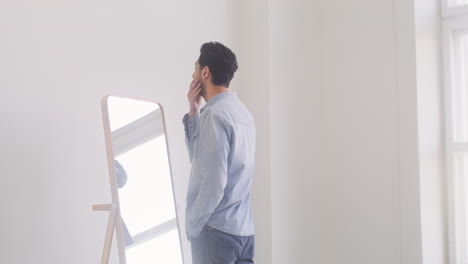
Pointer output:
x,y
213,158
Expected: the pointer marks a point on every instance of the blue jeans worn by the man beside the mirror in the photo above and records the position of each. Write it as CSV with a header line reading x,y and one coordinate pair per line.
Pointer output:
x,y
216,247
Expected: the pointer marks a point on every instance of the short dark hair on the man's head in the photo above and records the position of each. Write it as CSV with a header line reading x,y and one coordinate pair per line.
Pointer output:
x,y
221,61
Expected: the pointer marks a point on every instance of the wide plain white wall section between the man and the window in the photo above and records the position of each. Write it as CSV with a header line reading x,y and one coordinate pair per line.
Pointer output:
x,y
344,154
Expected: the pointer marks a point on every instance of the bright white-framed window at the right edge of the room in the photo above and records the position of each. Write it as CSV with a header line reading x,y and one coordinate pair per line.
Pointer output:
x,y
455,53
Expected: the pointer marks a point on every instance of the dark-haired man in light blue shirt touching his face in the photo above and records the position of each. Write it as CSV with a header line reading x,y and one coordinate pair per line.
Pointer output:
x,y
220,139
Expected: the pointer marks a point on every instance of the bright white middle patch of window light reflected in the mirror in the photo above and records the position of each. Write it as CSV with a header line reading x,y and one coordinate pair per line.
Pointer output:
x,y
147,199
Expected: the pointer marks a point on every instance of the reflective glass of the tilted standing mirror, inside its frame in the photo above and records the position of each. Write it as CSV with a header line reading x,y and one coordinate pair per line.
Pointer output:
x,y
143,181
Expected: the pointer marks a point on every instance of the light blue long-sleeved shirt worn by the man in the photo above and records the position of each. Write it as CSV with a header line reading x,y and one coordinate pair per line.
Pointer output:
x,y
221,145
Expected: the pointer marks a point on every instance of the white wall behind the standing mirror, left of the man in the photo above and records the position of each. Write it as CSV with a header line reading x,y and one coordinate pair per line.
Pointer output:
x,y
58,58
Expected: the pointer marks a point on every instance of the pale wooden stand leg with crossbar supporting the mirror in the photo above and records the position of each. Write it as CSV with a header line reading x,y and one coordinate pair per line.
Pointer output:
x,y
113,215
